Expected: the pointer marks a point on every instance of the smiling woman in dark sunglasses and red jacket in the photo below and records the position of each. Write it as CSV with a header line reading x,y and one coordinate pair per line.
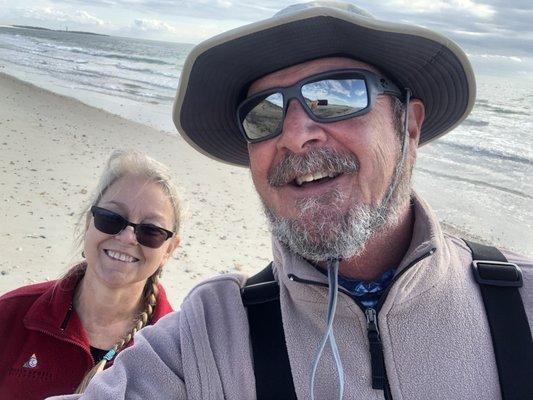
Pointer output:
x,y
54,336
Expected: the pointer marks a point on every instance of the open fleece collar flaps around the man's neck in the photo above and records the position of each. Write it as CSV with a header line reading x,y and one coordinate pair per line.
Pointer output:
x,y
426,240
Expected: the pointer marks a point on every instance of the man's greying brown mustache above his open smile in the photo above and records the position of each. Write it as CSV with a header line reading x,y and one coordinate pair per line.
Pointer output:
x,y
316,160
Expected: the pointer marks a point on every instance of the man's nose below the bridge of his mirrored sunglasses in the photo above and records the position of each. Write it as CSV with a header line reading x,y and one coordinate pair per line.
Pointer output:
x,y
300,132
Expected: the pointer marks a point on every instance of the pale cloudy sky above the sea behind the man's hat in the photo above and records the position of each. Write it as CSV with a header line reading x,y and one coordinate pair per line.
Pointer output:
x,y
496,34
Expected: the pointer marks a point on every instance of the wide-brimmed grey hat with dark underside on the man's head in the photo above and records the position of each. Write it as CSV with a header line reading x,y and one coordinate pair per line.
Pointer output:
x,y
218,72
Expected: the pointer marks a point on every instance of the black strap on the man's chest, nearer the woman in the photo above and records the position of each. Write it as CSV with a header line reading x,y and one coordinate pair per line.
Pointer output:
x,y
273,378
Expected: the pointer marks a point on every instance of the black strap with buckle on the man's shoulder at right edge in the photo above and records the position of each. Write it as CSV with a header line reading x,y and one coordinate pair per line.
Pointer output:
x,y
499,281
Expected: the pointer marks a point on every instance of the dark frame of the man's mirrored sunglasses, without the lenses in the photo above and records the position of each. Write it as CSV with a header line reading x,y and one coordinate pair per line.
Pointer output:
x,y
375,86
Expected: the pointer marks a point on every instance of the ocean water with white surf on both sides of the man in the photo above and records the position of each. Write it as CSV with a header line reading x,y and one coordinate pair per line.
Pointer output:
x,y
478,178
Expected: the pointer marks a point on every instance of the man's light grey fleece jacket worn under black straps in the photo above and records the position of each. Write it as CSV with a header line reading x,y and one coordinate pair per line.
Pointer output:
x,y
435,334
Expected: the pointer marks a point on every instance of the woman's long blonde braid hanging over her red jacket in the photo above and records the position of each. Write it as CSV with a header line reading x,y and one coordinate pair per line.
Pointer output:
x,y
150,300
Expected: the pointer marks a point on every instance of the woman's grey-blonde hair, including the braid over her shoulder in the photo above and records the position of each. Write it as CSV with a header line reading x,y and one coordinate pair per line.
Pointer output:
x,y
122,163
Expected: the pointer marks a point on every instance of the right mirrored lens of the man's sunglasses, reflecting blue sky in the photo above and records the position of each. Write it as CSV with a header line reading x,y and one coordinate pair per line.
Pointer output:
x,y
332,98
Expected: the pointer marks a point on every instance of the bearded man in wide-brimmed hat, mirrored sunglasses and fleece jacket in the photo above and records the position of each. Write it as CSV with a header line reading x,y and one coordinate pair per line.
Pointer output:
x,y
327,106
